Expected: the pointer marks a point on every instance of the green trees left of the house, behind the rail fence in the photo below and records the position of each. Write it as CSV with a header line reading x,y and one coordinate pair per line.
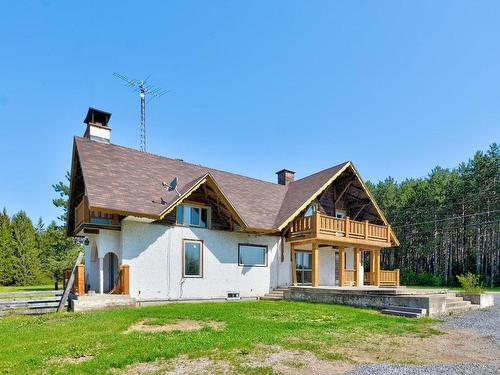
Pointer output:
x,y
33,254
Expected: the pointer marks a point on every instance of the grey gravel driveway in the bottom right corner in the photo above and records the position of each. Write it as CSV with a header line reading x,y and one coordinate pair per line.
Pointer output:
x,y
484,322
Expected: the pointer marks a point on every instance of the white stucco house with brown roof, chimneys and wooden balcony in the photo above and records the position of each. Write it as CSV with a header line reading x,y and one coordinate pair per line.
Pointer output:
x,y
163,229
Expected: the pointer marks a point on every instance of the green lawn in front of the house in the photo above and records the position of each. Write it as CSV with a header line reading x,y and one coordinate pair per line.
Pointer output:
x,y
40,344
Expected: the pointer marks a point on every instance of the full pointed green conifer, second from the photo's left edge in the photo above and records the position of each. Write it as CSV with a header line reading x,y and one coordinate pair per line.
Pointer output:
x,y
27,262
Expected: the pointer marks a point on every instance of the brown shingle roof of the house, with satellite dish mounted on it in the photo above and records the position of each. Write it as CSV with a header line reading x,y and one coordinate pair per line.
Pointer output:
x,y
126,180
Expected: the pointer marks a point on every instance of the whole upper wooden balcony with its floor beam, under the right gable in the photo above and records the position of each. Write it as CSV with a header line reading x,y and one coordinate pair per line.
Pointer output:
x,y
341,231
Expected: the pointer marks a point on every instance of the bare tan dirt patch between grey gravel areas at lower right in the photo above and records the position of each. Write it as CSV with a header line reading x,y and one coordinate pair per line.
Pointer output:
x,y
452,346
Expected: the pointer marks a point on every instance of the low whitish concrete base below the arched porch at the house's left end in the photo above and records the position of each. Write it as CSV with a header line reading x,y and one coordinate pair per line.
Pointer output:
x,y
100,302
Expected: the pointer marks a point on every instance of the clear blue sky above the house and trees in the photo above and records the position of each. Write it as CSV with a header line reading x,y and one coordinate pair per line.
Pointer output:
x,y
396,86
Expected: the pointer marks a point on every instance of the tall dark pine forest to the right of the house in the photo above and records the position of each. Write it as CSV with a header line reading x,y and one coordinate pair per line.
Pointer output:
x,y
447,222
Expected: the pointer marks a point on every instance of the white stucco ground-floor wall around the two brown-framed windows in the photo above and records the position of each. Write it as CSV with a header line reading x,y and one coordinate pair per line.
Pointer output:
x,y
154,253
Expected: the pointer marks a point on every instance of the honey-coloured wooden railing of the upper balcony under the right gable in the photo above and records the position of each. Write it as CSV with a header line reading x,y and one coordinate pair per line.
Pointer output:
x,y
319,224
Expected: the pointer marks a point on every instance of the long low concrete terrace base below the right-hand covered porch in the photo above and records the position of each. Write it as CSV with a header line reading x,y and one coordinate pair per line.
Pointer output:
x,y
434,301
